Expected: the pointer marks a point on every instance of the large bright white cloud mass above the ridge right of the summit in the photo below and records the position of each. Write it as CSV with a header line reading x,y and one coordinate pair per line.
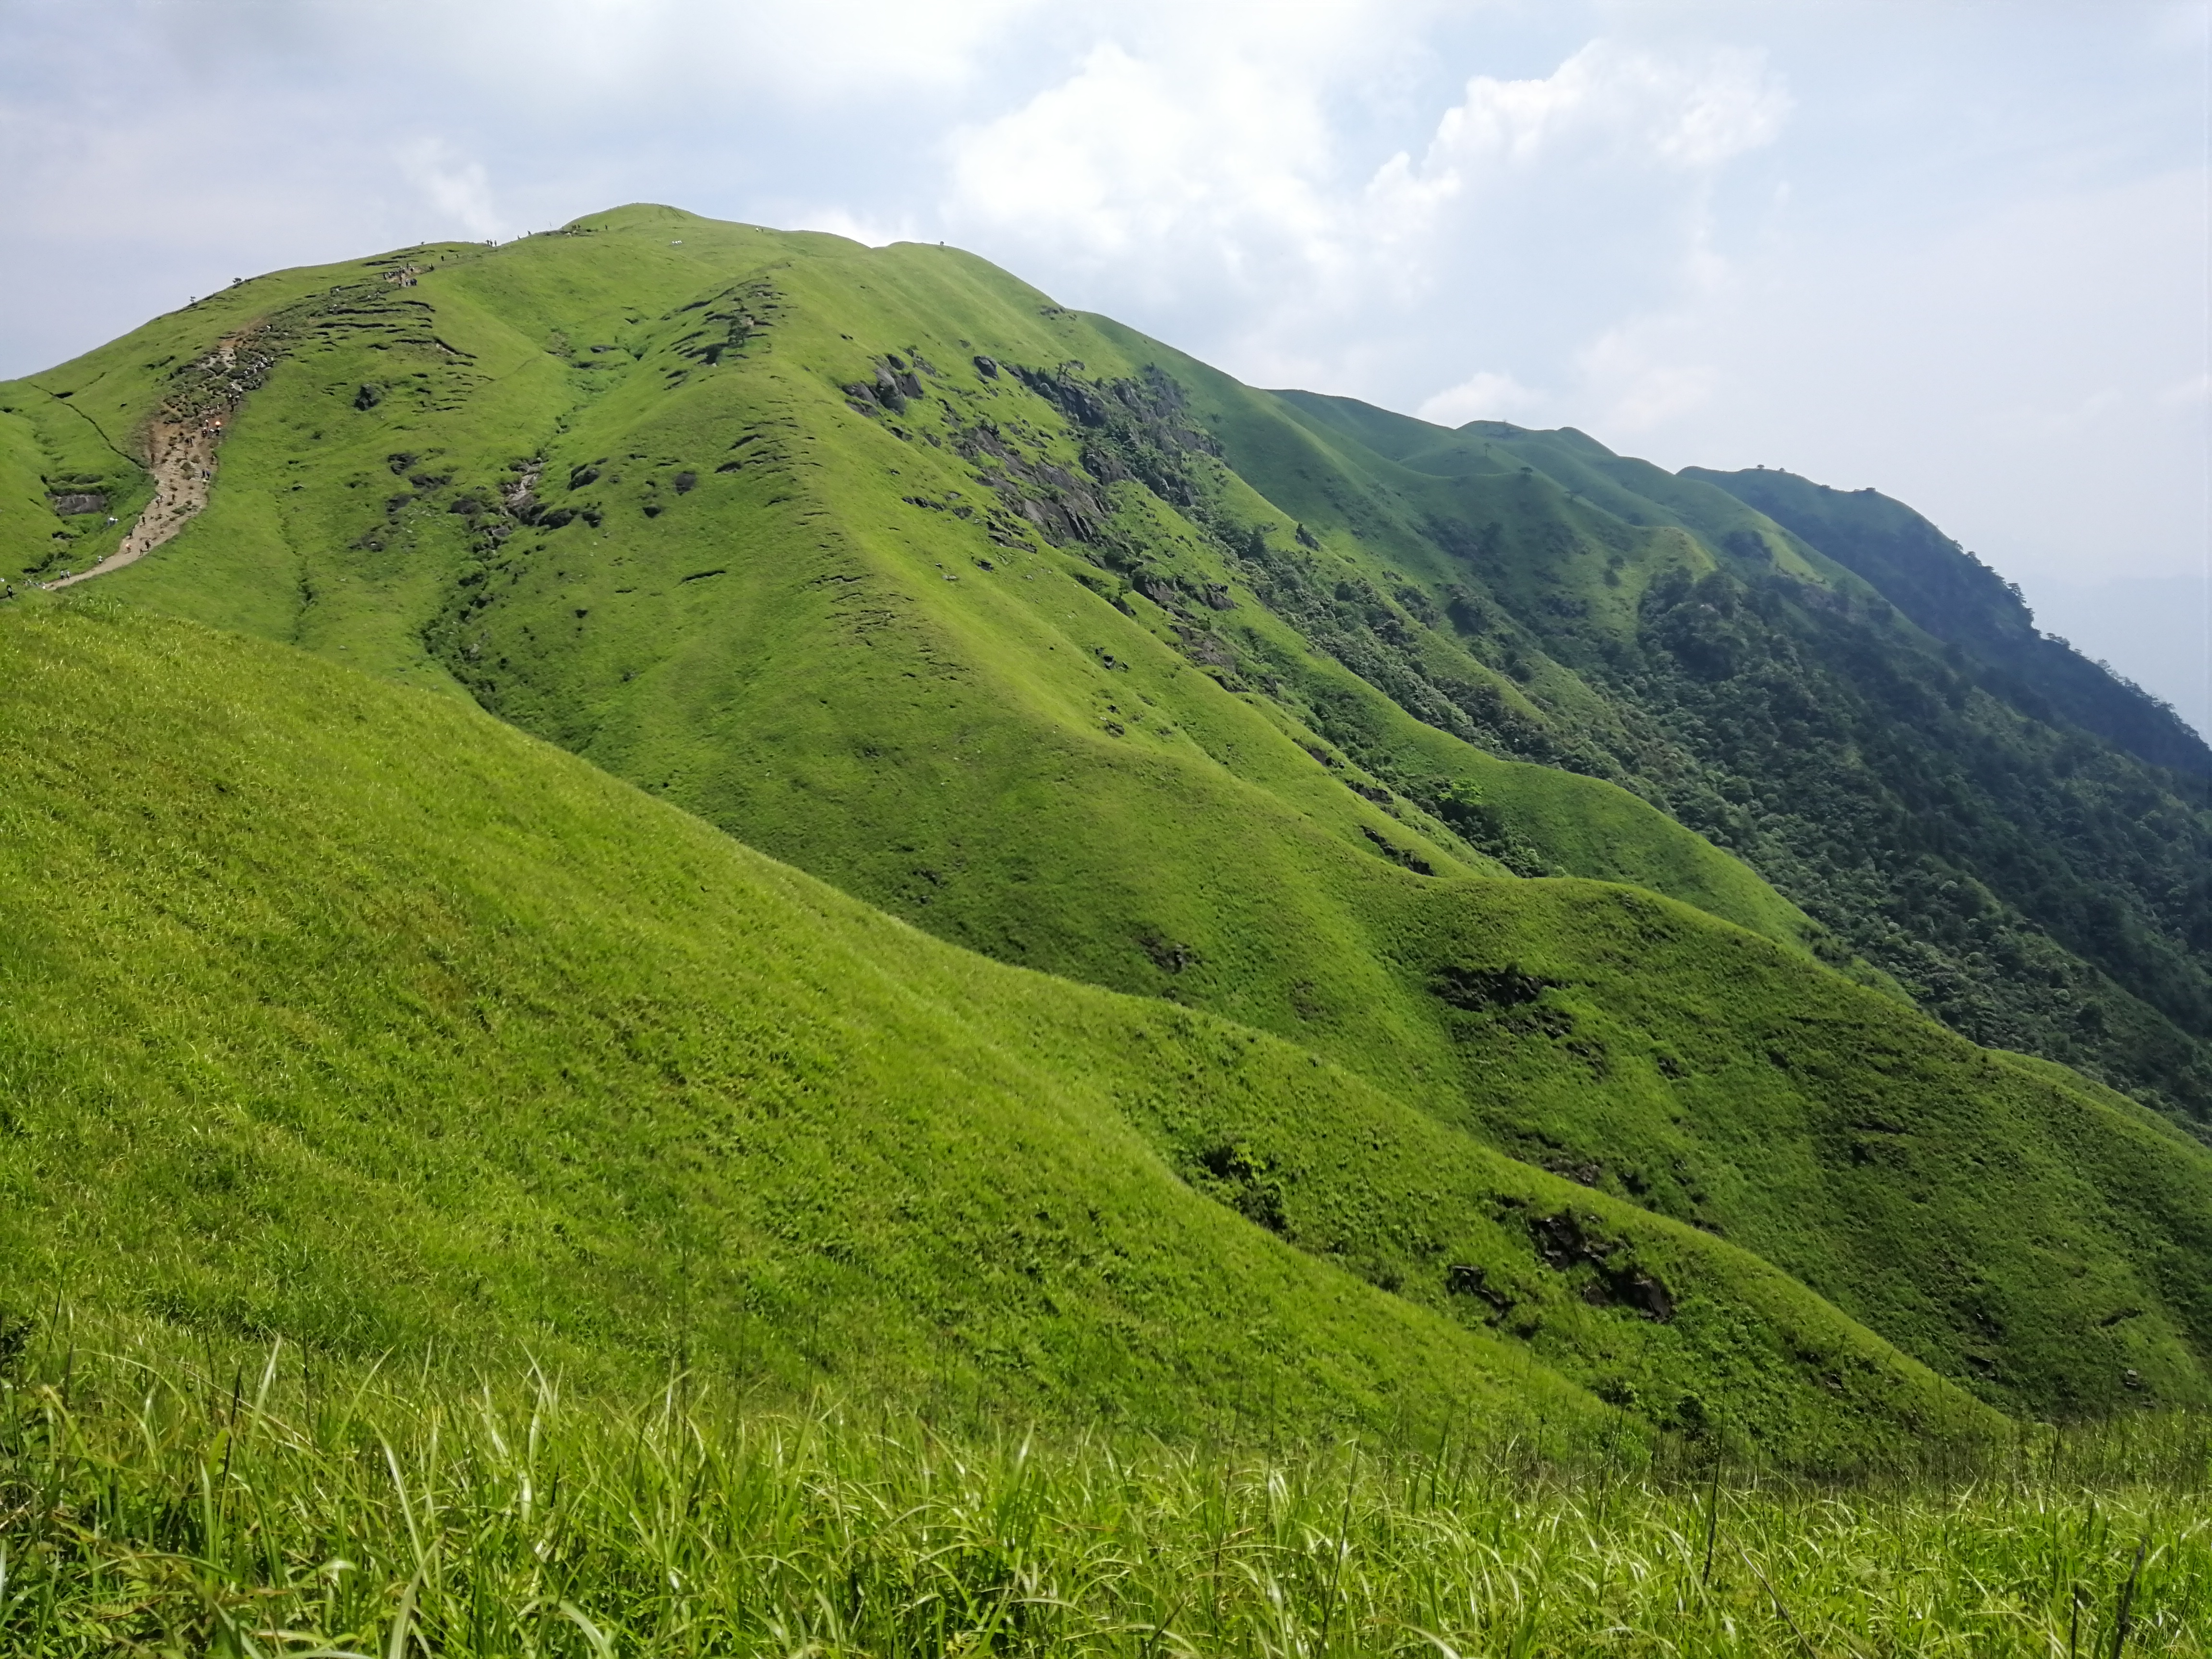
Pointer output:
x,y
1213,187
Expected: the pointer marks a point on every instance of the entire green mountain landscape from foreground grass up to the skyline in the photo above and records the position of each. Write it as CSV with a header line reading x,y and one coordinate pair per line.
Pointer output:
x,y
716,941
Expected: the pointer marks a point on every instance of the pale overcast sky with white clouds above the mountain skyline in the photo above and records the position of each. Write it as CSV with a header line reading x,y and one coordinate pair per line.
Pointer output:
x,y
1950,251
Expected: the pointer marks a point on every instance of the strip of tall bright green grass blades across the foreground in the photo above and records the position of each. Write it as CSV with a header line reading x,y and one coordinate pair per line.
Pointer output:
x,y
163,1507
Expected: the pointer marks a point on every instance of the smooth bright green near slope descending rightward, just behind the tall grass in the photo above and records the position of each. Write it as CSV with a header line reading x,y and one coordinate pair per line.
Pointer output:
x,y
346,1014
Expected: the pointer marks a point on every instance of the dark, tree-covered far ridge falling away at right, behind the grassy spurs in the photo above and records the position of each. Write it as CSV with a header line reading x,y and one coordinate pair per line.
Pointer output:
x,y
1914,766
